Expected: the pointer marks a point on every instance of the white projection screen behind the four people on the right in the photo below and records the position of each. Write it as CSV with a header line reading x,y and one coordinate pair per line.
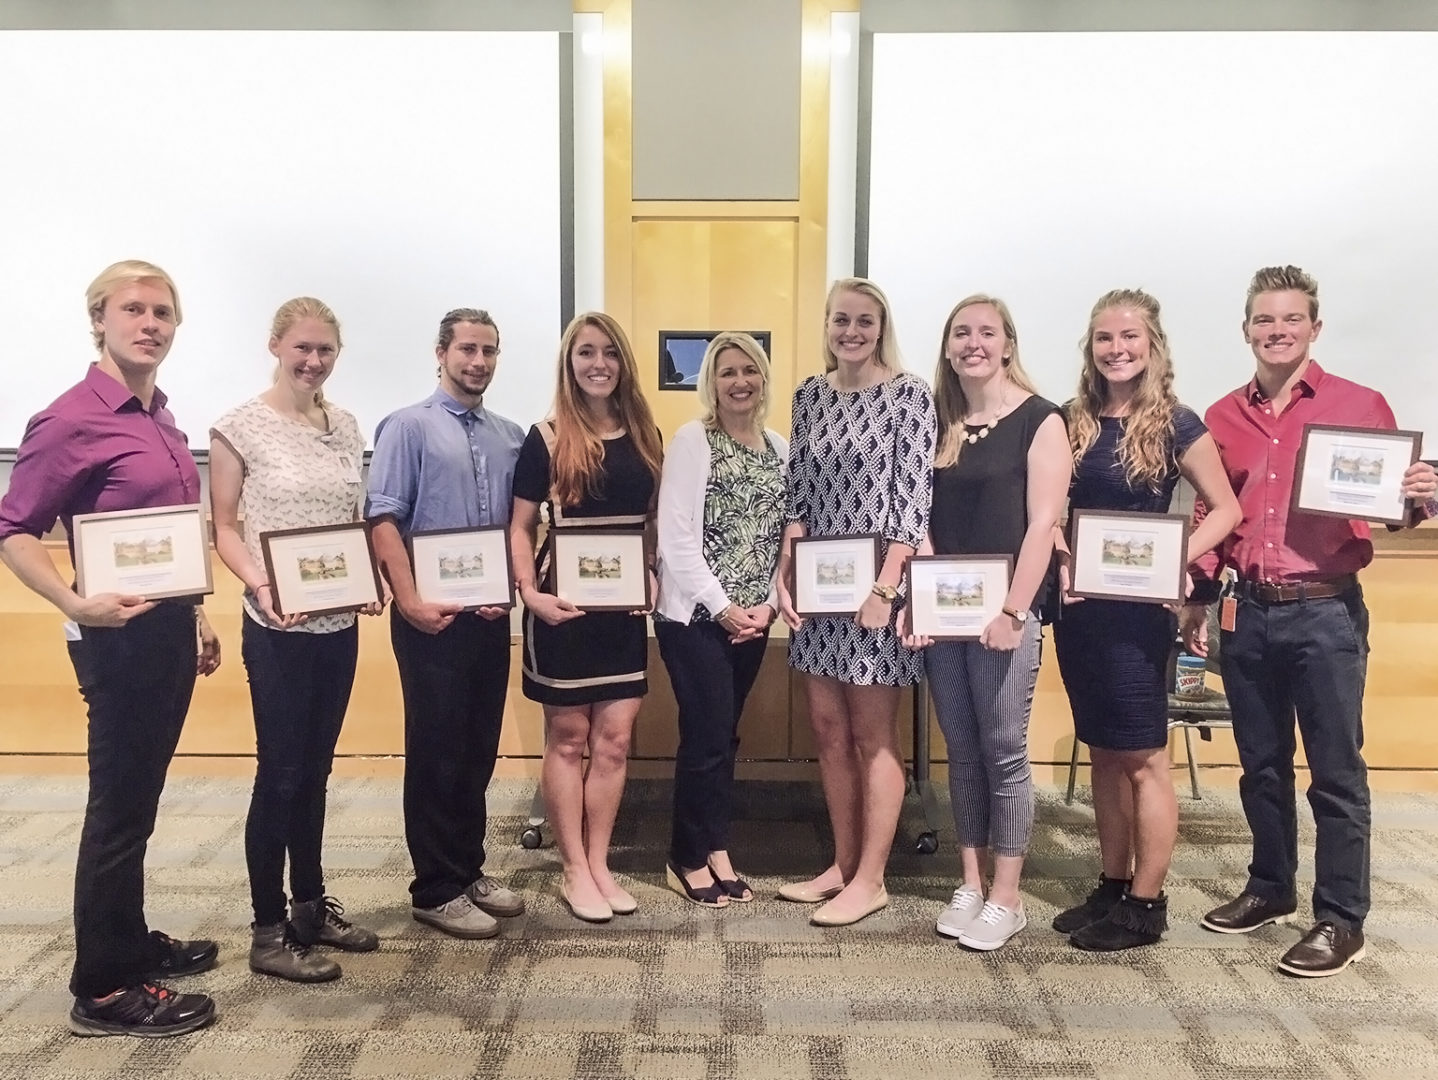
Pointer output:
x,y
1052,168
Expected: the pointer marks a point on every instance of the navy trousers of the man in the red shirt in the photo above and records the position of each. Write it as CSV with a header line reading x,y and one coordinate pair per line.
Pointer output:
x,y
1306,659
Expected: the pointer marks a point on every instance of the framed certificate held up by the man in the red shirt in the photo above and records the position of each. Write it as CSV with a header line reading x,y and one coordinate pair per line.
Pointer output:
x,y
1354,472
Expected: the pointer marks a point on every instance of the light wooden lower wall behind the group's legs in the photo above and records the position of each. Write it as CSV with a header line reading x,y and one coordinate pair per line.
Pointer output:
x,y
41,711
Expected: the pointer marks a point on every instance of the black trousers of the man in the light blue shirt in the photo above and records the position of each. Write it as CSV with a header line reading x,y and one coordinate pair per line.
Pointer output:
x,y
455,685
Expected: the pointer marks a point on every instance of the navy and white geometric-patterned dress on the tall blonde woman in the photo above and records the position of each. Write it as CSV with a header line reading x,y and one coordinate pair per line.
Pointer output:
x,y
861,462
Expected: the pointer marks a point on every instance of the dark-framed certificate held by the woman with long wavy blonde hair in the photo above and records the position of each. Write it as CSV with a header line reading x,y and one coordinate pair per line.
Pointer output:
x,y
1122,556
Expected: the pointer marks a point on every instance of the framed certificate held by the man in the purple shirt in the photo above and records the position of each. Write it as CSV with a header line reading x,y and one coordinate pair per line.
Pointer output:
x,y
153,553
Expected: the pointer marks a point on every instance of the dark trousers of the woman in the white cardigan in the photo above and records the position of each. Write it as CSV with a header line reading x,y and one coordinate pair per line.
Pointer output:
x,y
711,681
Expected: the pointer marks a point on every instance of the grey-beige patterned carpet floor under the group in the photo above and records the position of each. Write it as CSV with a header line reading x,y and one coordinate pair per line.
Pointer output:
x,y
751,993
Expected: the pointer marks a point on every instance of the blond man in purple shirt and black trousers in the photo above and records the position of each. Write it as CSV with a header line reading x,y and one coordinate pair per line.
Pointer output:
x,y
109,444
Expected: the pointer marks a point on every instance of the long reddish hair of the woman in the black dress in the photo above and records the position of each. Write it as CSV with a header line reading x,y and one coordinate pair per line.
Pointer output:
x,y
579,449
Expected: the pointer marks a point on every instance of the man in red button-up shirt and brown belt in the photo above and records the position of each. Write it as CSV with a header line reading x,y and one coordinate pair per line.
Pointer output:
x,y
1295,629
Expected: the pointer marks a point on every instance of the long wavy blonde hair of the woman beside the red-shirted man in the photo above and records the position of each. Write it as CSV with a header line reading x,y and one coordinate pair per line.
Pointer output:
x,y
1147,449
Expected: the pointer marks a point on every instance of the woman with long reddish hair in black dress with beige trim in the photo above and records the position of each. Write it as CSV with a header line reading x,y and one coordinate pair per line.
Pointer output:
x,y
596,464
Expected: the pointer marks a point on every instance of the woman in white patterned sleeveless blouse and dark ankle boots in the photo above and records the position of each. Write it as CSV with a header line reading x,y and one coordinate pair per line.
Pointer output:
x,y
291,459
